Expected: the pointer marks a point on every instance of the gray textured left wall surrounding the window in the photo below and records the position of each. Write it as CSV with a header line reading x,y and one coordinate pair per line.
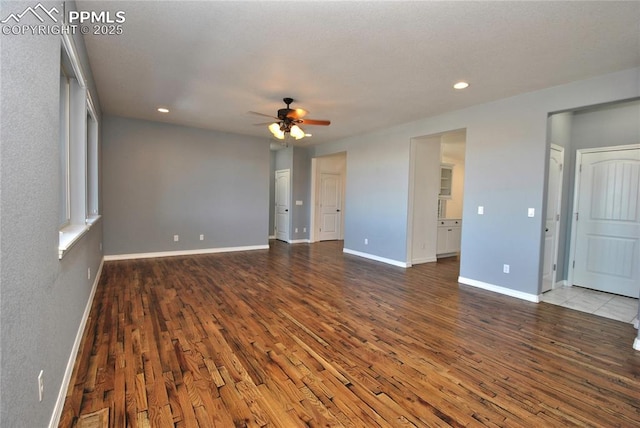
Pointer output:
x,y
43,298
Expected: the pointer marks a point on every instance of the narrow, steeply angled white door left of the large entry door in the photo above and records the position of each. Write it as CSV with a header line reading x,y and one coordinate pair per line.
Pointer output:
x,y
554,203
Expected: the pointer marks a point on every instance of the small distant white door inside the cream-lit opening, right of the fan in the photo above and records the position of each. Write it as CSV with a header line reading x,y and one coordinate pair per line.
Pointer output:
x,y
330,206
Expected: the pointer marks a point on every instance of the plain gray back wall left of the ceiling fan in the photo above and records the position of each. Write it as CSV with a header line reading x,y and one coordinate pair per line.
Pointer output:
x,y
162,180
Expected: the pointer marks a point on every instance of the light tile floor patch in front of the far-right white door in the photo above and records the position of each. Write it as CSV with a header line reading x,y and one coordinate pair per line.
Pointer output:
x,y
595,302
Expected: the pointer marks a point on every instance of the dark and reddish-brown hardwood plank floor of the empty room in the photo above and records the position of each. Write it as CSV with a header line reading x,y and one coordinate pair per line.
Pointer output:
x,y
304,335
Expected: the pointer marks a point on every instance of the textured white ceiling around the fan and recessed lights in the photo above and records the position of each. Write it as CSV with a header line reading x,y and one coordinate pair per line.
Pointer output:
x,y
363,65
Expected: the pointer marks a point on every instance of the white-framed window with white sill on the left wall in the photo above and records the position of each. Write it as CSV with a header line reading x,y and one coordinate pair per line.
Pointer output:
x,y
78,151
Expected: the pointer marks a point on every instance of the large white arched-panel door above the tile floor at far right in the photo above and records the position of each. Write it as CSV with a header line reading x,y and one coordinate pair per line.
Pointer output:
x,y
607,221
